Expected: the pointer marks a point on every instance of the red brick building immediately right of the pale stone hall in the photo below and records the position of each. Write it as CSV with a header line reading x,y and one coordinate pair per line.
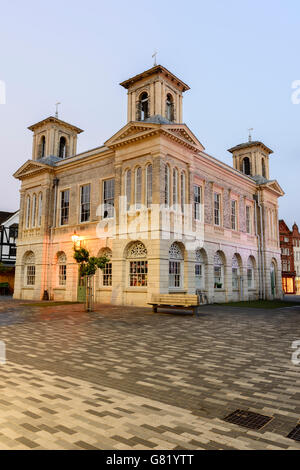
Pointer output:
x,y
287,258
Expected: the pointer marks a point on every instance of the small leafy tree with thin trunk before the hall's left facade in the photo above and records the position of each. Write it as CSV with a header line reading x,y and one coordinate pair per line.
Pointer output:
x,y
88,266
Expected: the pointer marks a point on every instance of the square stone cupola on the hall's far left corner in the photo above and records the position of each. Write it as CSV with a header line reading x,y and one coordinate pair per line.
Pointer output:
x,y
54,138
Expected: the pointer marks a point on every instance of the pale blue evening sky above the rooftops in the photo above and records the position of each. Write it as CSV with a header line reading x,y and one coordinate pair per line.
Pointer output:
x,y
240,59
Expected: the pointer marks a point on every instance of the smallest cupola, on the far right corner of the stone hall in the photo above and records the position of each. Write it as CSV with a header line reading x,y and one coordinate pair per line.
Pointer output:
x,y
252,158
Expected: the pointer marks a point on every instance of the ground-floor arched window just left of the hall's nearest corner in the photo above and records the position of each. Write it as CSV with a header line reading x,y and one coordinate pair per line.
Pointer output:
x,y
138,265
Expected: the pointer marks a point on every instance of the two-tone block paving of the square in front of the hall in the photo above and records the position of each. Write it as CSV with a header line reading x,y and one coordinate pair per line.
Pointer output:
x,y
125,378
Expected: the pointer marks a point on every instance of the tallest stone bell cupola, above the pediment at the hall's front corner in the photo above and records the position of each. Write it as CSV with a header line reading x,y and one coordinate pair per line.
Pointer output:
x,y
155,95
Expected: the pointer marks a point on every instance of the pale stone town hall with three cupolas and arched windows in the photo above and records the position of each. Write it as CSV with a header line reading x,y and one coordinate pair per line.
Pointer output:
x,y
170,217
